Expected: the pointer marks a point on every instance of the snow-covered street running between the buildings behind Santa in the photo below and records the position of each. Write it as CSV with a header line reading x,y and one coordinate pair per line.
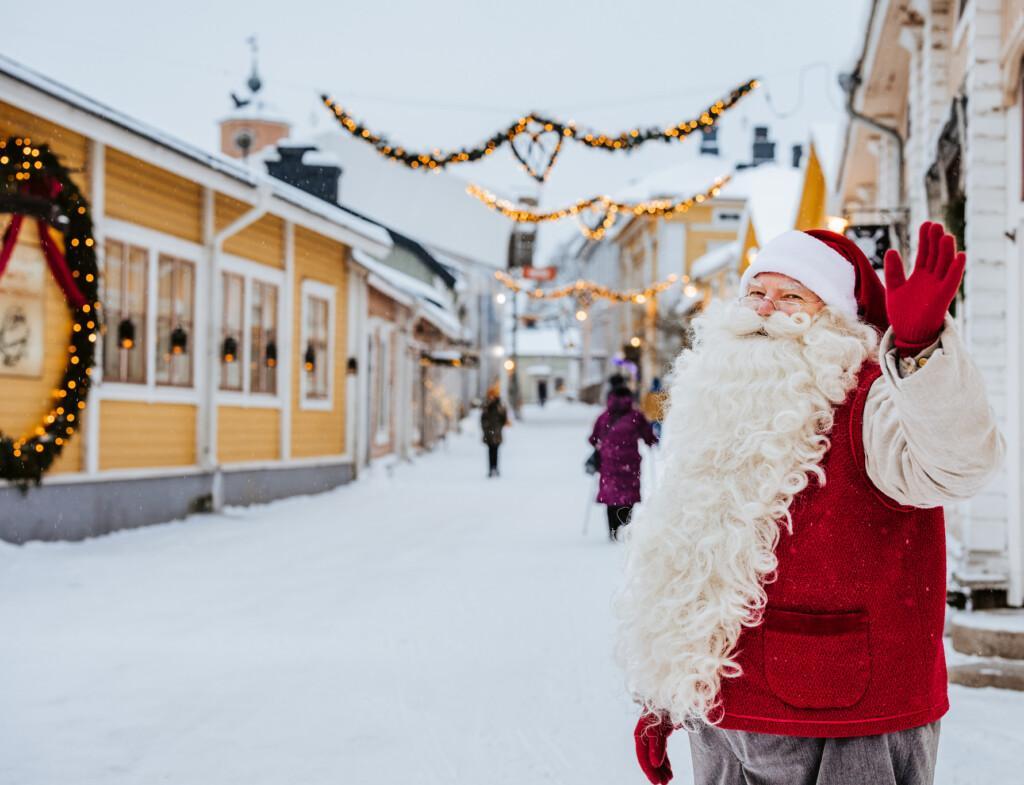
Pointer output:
x,y
430,627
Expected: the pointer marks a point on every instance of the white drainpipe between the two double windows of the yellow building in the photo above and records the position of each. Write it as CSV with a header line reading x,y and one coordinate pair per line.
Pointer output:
x,y
215,242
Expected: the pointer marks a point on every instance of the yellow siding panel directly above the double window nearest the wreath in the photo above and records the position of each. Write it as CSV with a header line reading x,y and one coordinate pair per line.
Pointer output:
x,y
140,193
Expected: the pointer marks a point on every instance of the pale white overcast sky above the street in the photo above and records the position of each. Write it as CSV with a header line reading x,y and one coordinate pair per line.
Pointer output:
x,y
446,73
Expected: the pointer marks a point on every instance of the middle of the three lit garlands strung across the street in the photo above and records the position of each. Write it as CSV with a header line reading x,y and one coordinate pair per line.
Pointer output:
x,y
608,208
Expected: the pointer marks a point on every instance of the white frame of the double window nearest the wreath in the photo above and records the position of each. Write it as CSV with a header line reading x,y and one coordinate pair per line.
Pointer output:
x,y
157,243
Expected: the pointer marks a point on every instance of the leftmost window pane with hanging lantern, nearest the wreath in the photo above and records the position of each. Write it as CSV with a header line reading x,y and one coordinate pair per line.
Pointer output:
x,y
124,302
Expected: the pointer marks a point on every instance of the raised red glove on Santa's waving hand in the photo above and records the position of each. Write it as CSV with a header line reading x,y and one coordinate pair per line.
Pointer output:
x,y
918,307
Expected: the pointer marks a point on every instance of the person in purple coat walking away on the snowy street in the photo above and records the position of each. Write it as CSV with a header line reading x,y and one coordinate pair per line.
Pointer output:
x,y
616,434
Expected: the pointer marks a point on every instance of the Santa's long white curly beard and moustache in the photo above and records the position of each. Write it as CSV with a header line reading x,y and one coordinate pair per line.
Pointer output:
x,y
751,407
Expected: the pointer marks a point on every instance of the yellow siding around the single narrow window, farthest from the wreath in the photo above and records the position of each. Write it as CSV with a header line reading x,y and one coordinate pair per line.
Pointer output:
x,y
320,433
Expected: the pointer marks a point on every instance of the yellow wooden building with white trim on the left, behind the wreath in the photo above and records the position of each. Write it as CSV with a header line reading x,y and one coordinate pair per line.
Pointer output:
x,y
224,375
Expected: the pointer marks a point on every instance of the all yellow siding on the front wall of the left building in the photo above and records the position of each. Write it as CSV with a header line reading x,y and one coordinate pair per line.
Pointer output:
x,y
146,427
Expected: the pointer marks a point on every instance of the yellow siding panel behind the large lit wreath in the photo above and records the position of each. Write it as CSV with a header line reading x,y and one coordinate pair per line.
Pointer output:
x,y
27,401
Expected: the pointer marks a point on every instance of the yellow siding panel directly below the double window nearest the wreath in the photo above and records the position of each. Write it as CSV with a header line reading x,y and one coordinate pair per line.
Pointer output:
x,y
137,435
